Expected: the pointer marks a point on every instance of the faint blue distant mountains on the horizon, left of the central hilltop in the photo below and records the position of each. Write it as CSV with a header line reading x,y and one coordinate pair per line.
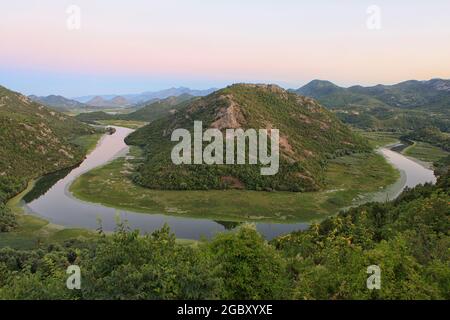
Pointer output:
x,y
148,96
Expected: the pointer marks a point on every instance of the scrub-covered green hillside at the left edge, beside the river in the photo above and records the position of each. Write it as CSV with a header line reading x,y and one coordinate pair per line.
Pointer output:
x,y
34,140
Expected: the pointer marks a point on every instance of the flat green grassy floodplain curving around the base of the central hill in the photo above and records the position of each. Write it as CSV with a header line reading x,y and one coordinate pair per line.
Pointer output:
x,y
347,177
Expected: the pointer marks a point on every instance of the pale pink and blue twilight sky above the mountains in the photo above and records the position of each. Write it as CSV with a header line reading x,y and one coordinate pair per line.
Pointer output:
x,y
84,47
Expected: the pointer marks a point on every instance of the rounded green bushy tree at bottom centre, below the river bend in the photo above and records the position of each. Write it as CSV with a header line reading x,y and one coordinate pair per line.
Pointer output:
x,y
249,267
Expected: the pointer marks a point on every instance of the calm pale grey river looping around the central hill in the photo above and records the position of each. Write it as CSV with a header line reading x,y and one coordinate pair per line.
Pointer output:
x,y
51,200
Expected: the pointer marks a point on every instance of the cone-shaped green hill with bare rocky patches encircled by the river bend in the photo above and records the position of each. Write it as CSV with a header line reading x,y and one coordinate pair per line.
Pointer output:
x,y
309,135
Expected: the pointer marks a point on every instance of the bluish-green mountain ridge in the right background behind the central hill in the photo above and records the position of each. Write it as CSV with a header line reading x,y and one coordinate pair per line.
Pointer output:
x,y
408,105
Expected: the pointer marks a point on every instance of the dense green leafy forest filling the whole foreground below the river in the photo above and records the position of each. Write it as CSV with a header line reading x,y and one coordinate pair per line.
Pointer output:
x,y
407,238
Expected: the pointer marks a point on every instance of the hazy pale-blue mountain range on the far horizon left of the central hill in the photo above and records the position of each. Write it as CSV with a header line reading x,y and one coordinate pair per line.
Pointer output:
x,y
145,97
